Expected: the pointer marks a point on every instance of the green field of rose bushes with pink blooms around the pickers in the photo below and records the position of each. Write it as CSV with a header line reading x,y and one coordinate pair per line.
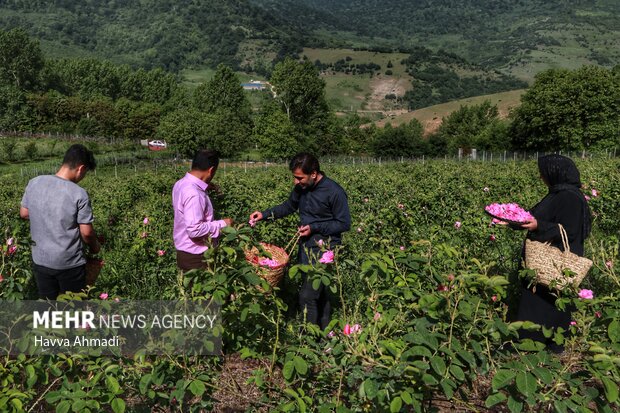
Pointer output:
x,y
423,289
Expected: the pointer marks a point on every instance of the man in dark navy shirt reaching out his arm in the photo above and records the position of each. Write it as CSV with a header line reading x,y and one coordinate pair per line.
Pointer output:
x,y
324,216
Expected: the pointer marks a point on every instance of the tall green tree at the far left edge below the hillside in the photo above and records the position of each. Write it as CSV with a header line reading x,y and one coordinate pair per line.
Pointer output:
x,y
21,59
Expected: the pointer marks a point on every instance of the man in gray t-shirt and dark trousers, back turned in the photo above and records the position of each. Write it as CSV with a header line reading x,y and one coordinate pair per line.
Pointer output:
x,y
60,222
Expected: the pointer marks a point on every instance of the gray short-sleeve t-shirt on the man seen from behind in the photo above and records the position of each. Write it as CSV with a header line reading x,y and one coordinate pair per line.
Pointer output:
x,y
56,207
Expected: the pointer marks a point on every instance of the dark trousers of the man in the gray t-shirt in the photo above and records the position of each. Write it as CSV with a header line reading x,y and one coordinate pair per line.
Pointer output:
x,y
51,282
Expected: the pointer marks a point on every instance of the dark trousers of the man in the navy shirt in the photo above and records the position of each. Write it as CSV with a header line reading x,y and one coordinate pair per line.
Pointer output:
x,y
315,303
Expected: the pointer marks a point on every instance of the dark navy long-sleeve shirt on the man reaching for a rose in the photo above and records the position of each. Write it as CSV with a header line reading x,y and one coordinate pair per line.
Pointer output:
x,y
324,207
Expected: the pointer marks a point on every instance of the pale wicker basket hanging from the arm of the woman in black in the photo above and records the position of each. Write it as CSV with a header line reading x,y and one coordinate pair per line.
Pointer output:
x,y
549,263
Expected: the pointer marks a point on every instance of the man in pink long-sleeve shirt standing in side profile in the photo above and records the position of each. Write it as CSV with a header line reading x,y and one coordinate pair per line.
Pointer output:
x,y
194,223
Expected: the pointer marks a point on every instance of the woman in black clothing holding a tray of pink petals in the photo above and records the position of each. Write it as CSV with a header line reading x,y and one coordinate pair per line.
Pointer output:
x,y
564,204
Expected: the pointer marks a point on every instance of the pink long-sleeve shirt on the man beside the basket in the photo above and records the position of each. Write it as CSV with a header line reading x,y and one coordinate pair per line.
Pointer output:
x,y
193,215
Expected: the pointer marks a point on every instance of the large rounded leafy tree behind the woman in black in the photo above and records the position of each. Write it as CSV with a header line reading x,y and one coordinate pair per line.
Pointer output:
x,y
569,110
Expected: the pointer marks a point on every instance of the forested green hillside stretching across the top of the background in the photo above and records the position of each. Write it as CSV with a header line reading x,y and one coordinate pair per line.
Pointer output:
x,y
251,34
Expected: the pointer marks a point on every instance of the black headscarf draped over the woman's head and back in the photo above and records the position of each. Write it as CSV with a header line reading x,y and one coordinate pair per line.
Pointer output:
x,y
561,174
